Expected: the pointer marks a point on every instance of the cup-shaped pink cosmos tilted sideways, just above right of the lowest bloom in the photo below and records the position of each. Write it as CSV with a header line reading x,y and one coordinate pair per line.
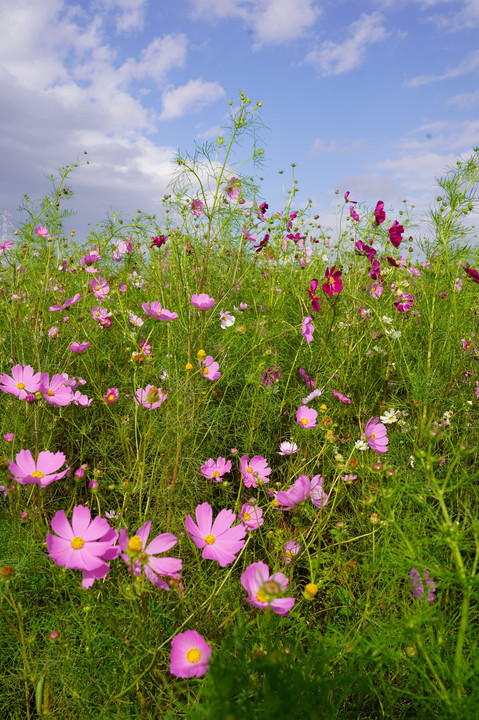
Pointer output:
x,y
264,589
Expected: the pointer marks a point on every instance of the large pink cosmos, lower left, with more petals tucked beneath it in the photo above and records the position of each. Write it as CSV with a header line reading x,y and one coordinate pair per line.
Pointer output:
x,y
84,545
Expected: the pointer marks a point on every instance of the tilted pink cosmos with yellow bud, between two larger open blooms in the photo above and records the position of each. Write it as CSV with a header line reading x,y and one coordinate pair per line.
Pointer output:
x,y
139,555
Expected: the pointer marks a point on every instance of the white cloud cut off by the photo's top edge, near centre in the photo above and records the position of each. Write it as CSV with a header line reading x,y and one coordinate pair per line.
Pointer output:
x,y
272,21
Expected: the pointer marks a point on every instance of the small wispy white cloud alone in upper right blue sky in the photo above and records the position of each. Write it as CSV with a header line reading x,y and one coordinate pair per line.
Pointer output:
x,y
336,58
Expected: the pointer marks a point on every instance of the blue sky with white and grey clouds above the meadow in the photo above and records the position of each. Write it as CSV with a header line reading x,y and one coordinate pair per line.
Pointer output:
x,y
372,96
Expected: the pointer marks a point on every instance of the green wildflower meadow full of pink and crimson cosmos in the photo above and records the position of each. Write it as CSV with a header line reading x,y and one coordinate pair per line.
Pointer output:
x,y
239,461
